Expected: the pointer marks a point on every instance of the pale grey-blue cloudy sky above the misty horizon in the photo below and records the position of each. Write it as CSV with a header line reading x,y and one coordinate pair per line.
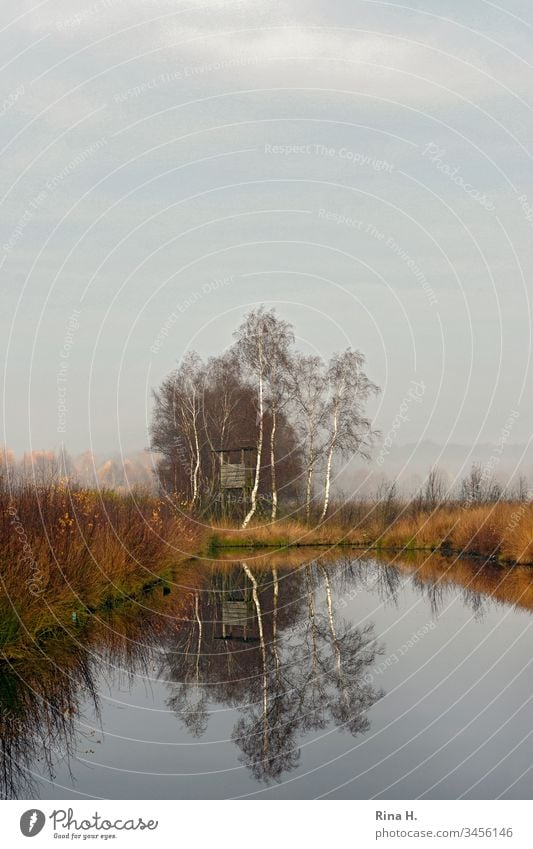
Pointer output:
x,y
363,167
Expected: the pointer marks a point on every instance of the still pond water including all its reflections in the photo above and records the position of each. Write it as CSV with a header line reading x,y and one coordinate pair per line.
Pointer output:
x,y
285,677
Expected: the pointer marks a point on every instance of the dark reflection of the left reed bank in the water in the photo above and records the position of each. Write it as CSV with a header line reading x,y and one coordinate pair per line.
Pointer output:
x,y
41,692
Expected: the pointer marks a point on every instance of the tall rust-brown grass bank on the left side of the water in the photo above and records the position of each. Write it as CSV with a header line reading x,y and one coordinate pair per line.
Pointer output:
x,y
64,553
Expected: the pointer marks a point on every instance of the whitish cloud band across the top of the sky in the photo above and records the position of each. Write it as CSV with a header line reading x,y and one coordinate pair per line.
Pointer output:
x,y
424,62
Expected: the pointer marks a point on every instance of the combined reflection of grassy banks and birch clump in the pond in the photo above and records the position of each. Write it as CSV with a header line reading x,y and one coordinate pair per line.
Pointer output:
x,y
265,637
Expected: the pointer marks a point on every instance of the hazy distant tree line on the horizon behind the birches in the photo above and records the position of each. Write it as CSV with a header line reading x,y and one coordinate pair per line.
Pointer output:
x,y
42,469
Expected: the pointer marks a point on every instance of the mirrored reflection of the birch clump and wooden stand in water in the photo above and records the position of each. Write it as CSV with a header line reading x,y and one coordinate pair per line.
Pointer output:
x,y
289,664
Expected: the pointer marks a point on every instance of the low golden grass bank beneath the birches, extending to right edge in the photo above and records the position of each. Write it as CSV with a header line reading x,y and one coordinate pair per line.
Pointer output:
x,y
503,530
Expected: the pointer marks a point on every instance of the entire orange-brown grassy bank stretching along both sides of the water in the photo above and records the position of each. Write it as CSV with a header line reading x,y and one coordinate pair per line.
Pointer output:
x,y
66,553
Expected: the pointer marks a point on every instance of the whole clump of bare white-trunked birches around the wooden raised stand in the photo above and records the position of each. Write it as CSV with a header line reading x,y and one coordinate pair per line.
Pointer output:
x,y
293,410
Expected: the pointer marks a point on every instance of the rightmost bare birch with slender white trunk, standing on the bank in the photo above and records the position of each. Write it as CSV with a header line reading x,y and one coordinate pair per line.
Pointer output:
x,y
348,431
